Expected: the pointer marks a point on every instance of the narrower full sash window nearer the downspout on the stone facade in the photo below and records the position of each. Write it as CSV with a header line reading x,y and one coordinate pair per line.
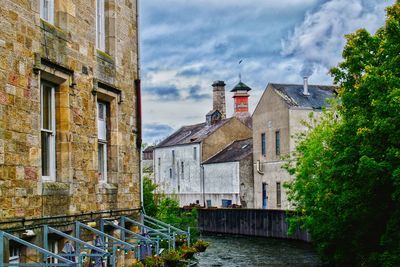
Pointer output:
x,y
102,143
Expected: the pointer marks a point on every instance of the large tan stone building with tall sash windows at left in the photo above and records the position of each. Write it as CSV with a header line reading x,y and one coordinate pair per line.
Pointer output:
x,y
69,116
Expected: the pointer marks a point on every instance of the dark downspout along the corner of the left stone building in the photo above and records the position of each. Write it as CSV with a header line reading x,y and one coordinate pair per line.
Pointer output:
x,y
139,106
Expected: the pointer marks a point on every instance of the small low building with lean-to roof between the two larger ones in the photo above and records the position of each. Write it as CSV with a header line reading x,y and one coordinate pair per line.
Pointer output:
x,y
228,176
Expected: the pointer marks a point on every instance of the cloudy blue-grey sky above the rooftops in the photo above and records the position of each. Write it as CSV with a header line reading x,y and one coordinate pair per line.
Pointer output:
x,y
188,44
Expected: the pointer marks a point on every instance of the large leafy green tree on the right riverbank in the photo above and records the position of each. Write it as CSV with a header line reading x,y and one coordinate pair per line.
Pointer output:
x,y
347,186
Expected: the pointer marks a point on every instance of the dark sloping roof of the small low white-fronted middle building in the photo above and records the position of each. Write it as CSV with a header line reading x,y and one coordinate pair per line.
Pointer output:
x,y
236,151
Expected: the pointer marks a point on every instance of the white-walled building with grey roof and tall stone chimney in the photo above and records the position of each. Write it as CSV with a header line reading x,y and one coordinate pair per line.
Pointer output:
x,y
178,159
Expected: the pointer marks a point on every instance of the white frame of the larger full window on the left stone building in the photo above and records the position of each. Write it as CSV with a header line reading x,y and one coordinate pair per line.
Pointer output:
x,y
52,132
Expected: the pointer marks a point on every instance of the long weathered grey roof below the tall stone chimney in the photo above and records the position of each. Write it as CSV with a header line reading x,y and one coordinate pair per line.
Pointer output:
x,y
191,134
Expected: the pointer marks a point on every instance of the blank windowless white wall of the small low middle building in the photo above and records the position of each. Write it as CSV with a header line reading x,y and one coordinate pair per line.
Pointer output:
x,y
221,181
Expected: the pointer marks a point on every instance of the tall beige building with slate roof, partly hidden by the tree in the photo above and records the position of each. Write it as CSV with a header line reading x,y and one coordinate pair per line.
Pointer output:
x,y
276,120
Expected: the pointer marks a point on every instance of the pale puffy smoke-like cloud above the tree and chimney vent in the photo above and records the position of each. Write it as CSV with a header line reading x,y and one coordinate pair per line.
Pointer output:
x,y
319,39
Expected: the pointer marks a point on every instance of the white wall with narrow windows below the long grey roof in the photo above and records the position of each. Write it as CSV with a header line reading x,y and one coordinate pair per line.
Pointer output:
x,y
185,185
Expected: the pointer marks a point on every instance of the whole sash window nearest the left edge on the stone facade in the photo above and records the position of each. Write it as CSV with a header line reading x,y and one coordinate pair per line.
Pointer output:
x,y
48,131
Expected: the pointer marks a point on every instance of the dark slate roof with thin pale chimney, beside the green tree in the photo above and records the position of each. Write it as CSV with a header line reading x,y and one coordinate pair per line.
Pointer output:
x,y
293,95
